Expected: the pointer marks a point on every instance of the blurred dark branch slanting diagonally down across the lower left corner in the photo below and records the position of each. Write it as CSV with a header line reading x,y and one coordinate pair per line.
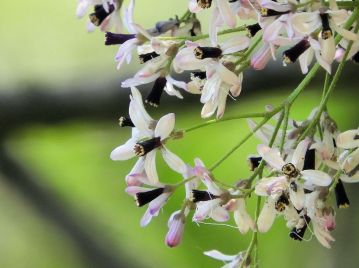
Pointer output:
x,y
45,201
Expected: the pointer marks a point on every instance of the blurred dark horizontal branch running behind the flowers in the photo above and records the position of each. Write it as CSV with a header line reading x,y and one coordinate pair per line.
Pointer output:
x,y
36,105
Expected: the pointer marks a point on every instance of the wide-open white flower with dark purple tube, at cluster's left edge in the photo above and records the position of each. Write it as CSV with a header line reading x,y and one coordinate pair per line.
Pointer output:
x,y
146,141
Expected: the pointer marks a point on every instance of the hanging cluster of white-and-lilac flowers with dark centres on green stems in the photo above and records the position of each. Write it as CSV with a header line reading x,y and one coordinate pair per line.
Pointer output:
x,y
298,166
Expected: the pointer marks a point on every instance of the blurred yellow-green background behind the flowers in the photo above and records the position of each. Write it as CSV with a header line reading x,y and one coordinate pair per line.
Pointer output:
x,y
43,45
